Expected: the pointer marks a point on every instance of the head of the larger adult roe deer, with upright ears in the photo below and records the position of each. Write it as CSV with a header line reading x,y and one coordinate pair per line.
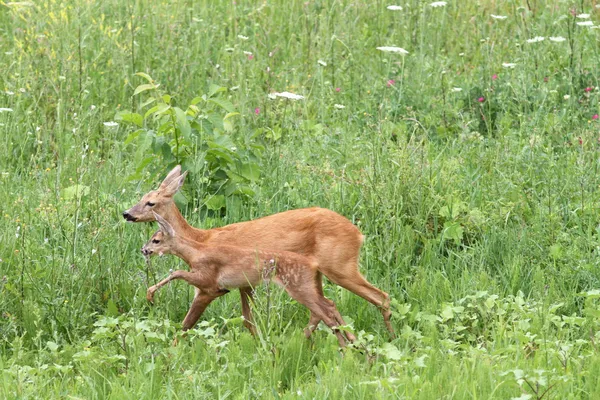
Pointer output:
x,y
157,201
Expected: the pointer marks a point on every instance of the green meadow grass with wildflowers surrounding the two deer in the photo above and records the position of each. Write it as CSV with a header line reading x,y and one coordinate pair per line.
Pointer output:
x,y
475,183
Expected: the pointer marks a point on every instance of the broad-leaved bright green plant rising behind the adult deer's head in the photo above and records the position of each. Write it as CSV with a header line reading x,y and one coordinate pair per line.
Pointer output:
x,y
200,137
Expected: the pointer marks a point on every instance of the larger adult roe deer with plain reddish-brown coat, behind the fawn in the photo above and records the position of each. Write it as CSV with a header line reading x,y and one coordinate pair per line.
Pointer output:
x,y
331,239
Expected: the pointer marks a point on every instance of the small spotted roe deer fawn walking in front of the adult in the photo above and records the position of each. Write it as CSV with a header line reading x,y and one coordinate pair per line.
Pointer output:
x,y
214,269
